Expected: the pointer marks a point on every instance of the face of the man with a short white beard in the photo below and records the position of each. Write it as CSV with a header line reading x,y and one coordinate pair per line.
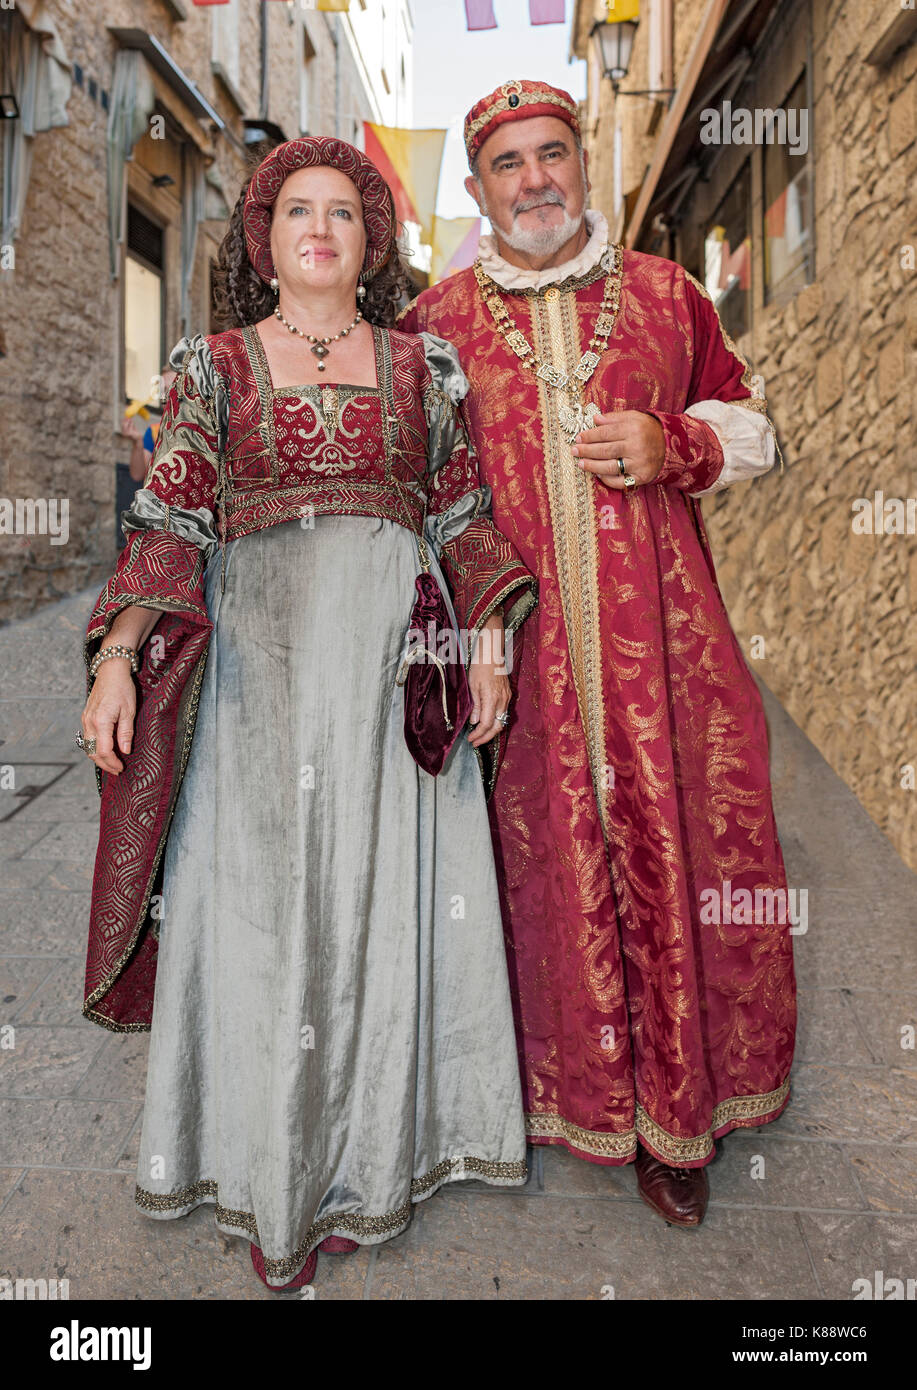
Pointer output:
x,y
533,184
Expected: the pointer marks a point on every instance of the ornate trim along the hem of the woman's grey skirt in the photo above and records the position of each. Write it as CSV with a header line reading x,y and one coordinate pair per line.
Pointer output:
x,y
351,1224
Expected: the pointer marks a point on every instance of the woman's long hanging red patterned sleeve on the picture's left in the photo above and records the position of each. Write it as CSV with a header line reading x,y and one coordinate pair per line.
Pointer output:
x,y
170,533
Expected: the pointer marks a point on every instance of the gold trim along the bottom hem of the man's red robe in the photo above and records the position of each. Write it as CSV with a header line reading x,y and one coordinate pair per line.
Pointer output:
x,y
737,1111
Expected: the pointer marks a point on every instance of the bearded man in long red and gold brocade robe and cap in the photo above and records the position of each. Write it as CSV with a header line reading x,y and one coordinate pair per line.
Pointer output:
x,y
645,901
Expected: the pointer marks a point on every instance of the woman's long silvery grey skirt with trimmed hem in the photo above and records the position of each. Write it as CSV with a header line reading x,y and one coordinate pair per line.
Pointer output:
x,y
333,1035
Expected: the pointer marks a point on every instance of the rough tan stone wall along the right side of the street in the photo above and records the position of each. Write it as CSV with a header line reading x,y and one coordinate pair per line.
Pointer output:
x,y
840,362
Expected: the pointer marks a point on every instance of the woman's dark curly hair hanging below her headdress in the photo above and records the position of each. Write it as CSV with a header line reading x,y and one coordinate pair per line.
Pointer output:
x,y
241,297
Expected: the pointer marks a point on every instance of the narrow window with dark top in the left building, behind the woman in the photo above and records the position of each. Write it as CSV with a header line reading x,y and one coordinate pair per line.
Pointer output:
x,y
144,305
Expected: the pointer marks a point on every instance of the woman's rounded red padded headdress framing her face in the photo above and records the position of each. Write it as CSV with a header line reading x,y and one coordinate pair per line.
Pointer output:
x,y
379,206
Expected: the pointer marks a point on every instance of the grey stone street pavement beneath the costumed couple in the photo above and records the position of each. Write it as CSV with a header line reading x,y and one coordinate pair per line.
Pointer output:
x,y
838,1200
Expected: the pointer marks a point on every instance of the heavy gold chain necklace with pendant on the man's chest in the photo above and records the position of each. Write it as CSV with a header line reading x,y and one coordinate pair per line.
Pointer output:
x,y
570,412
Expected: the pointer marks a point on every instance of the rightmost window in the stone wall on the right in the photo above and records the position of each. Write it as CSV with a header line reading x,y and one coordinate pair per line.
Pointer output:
x,y
788,172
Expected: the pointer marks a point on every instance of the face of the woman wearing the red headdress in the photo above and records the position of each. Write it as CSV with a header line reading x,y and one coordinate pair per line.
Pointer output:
x,y
317,234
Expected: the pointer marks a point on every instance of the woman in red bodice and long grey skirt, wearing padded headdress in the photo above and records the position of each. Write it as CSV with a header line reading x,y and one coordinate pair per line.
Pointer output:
x,y
305,918
